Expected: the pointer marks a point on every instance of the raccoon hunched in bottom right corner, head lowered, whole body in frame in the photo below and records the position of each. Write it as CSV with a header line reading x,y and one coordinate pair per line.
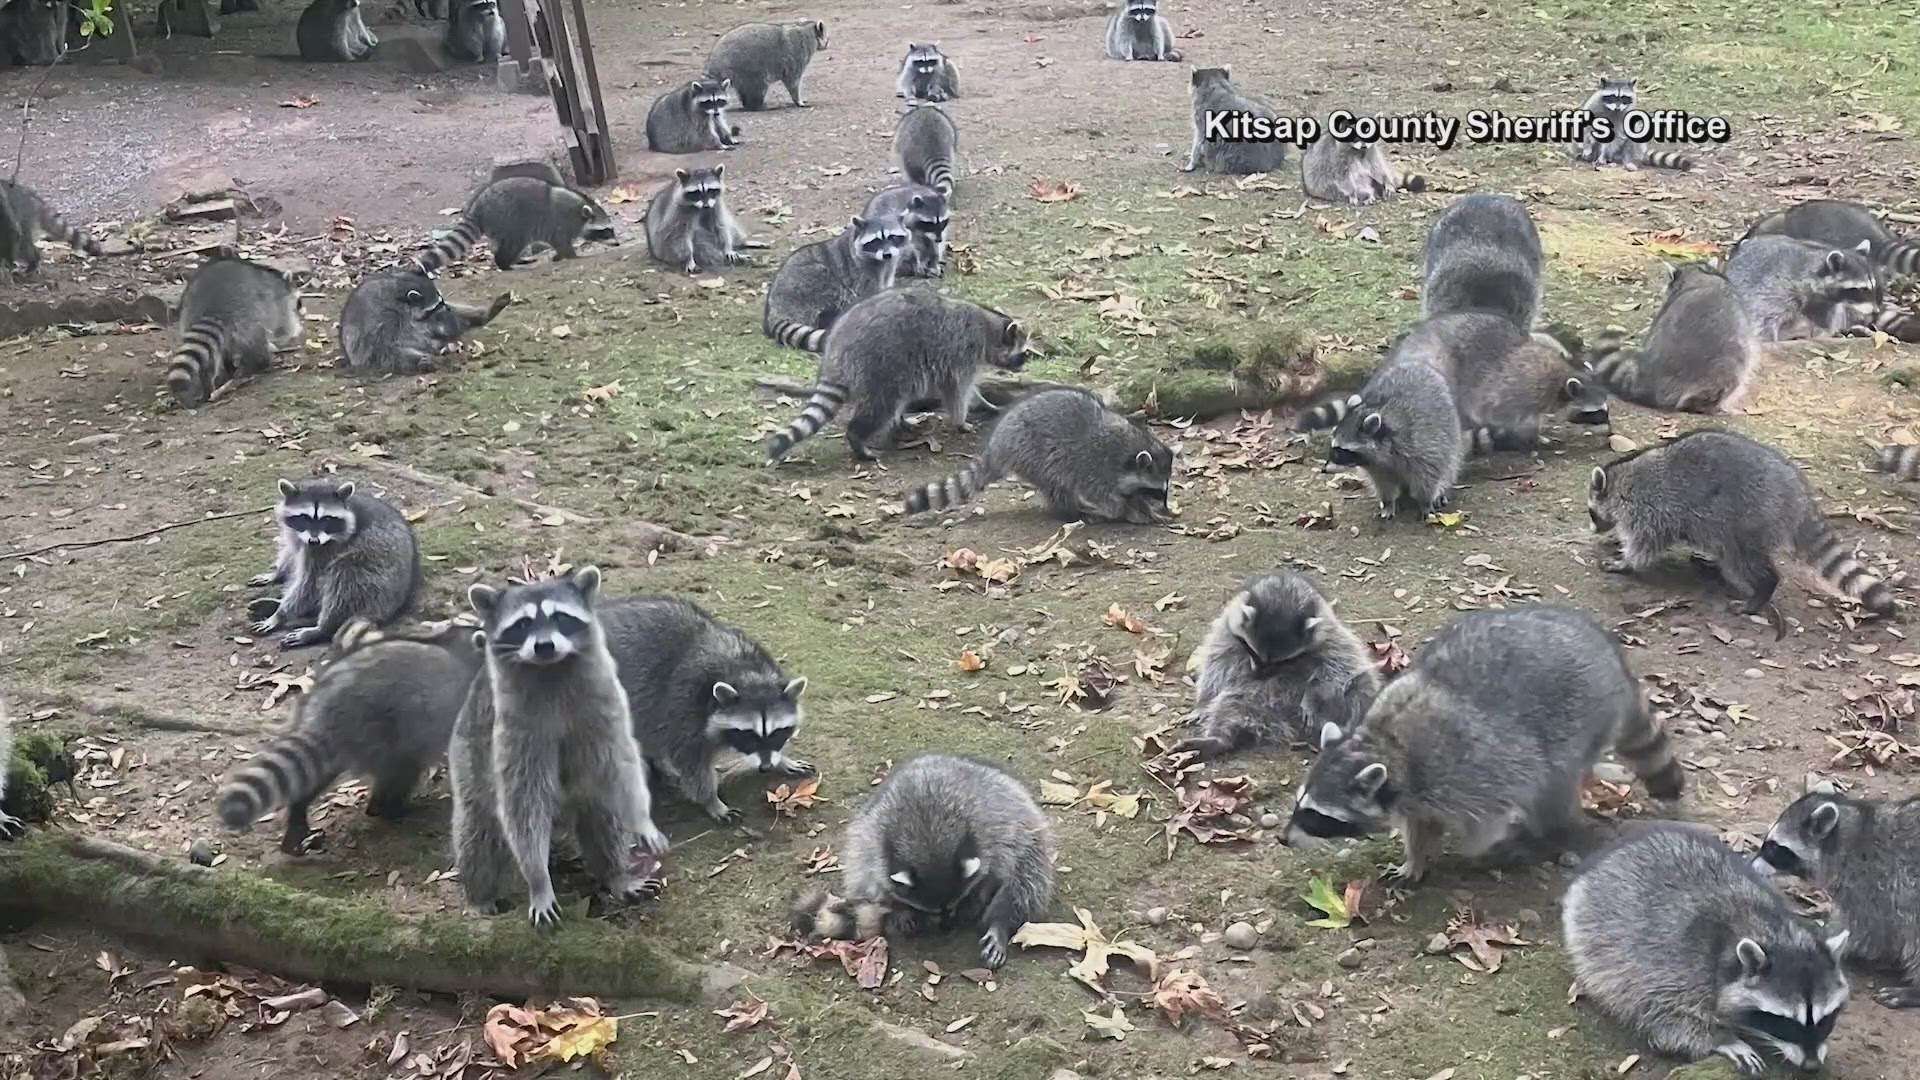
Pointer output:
x,y
1679,941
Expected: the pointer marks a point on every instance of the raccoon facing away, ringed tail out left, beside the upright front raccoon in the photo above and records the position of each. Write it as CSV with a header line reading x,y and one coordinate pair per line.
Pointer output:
x,y
381,708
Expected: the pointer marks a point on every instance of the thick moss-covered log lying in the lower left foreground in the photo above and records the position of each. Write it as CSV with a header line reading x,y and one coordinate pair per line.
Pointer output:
x,y
272,927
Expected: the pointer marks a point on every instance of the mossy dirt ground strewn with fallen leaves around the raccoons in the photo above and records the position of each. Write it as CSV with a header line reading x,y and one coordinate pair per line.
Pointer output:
x,y
623,391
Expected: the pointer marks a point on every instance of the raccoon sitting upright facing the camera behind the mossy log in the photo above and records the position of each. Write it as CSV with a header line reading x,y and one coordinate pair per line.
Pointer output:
x,y
546,739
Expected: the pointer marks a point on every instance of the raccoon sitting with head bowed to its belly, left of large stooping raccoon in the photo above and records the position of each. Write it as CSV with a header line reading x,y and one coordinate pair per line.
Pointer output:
x,y
1276,668
